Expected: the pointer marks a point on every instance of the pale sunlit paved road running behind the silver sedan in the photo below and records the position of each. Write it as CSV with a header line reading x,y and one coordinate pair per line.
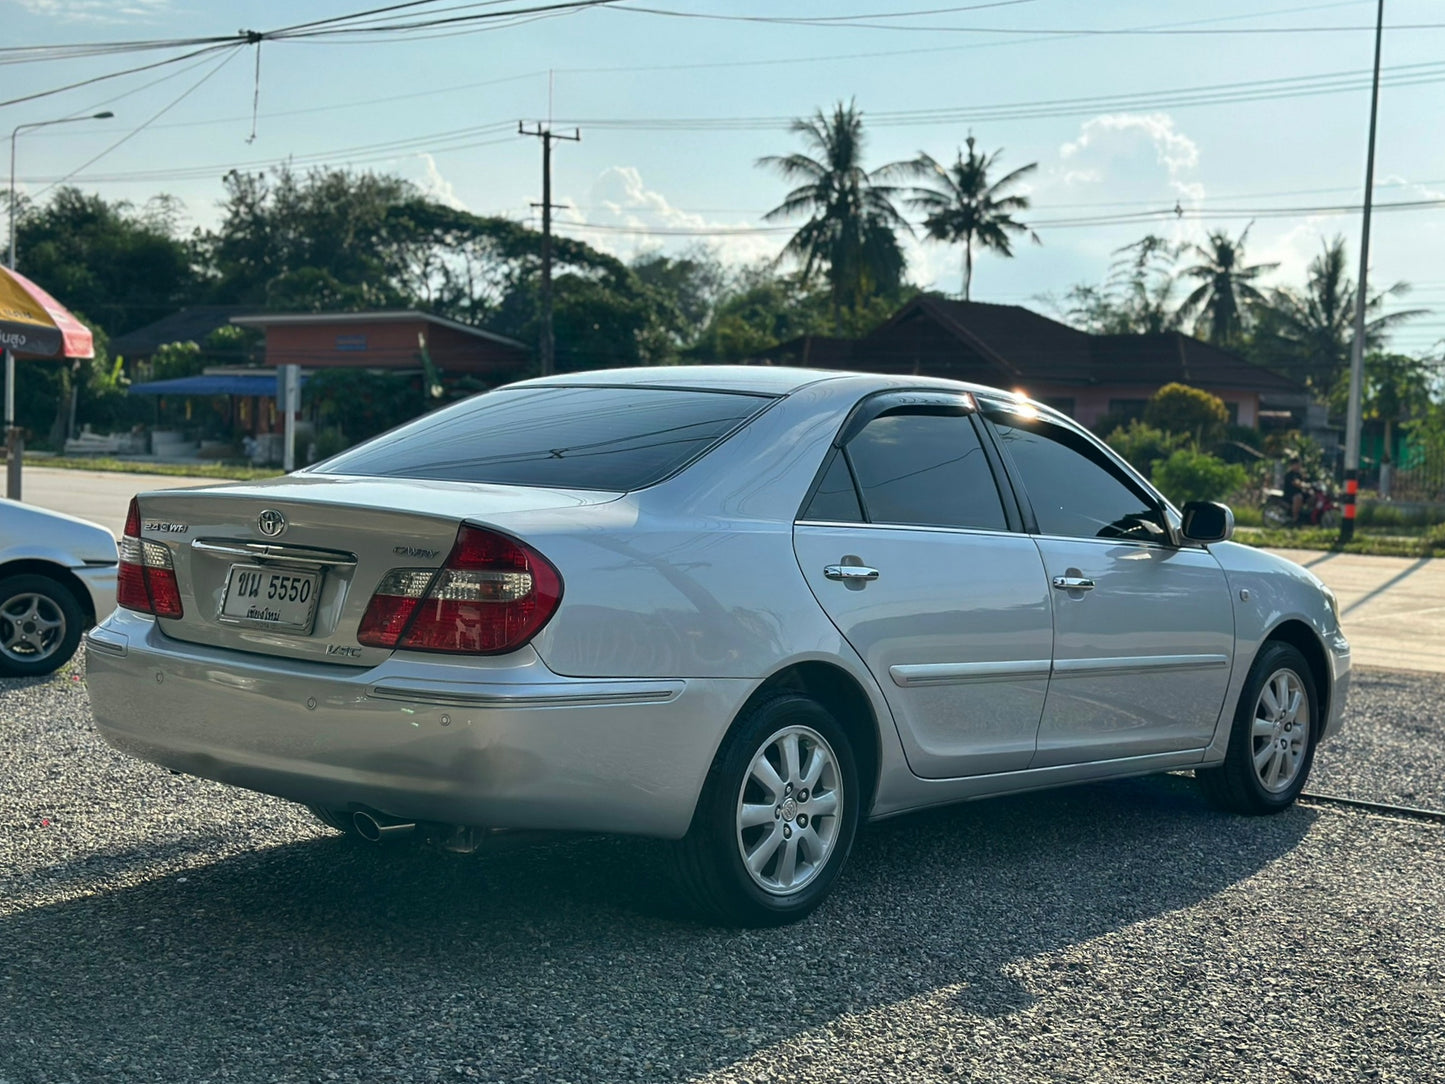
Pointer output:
x,y
1394,608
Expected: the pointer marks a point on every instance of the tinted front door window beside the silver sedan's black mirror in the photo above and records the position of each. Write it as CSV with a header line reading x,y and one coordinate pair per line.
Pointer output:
x,y
1074,491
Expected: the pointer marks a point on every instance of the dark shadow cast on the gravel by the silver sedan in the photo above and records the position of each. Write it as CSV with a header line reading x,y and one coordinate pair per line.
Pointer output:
x,y
574,959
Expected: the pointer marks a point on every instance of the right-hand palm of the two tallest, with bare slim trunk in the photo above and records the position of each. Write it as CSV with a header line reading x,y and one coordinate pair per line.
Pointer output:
x,y
960,205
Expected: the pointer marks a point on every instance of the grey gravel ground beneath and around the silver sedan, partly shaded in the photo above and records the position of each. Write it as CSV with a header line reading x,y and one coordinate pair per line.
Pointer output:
x,y
161,929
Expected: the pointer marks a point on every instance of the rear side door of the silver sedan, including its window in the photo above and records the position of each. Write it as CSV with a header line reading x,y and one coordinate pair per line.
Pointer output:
x,y
911,550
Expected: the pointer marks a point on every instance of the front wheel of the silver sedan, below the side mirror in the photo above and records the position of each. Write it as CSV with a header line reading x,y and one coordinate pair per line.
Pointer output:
x,y
1272,741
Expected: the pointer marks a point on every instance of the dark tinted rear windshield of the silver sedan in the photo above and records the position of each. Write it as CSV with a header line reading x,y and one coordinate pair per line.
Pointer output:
x,y
592,439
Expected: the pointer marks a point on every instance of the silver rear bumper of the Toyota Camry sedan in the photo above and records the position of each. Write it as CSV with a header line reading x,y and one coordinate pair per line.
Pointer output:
x,y
496,745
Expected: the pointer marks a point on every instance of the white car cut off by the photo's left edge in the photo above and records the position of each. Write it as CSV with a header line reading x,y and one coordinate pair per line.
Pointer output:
x,y
57,579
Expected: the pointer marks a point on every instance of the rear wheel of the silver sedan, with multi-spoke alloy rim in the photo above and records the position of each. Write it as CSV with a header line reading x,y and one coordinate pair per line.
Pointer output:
x,y
777,817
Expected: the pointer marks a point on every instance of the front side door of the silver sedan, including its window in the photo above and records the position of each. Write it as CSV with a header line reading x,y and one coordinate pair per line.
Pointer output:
x,y
1144,629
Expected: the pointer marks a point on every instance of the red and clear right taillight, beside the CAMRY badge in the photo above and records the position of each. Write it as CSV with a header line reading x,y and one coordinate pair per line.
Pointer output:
x,y
491,598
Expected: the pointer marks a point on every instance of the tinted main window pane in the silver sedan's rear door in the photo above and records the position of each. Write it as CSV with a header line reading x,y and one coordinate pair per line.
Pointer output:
x,y
926,469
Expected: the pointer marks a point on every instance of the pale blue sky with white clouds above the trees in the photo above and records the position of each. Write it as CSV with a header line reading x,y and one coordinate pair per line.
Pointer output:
x,y
1242,113
